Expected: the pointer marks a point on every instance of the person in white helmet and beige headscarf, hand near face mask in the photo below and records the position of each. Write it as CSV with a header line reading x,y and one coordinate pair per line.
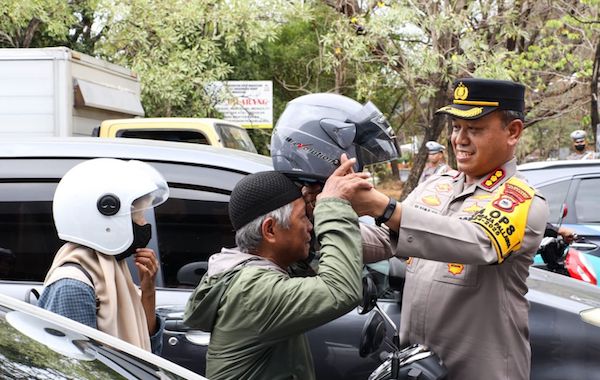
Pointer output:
x,y
98,210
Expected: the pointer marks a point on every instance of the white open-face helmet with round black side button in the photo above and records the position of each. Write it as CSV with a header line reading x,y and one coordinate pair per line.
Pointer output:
x,y
94,201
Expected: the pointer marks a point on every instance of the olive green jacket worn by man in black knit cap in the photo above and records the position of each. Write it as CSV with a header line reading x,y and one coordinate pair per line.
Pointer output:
x,y
257,314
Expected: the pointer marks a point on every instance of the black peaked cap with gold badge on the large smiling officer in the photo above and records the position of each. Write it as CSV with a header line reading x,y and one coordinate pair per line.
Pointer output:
x,y
475,98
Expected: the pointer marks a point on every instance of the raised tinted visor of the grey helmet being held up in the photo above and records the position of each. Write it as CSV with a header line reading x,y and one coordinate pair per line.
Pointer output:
x,y
375,139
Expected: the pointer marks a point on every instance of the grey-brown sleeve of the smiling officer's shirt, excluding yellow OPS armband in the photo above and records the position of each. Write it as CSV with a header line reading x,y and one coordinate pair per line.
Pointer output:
x,y
443,238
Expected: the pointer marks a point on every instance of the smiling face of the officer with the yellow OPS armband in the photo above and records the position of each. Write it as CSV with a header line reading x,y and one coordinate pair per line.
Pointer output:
x,y
484,144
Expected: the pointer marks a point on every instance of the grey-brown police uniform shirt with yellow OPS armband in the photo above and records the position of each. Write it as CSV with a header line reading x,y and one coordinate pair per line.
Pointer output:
x,y
458,299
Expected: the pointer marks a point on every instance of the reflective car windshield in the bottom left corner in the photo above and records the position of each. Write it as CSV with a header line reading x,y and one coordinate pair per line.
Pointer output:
x,y
32,347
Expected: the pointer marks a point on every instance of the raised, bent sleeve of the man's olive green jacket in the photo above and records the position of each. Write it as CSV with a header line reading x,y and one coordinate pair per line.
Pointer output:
x,y
286,306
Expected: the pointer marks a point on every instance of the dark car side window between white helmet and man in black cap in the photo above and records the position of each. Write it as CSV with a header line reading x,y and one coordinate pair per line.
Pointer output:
x,y
191,225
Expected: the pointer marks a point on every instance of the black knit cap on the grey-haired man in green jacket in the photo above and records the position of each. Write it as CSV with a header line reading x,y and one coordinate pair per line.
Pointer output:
x,y
258,194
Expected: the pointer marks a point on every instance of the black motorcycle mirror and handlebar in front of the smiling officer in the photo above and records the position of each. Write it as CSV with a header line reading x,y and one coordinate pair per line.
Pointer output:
x,y
415,362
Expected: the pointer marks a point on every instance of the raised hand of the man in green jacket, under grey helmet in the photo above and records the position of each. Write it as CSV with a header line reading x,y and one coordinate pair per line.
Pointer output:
x,y
344,183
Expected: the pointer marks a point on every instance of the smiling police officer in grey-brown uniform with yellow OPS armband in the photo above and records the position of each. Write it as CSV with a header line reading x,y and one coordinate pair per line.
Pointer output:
x,y
470,236
